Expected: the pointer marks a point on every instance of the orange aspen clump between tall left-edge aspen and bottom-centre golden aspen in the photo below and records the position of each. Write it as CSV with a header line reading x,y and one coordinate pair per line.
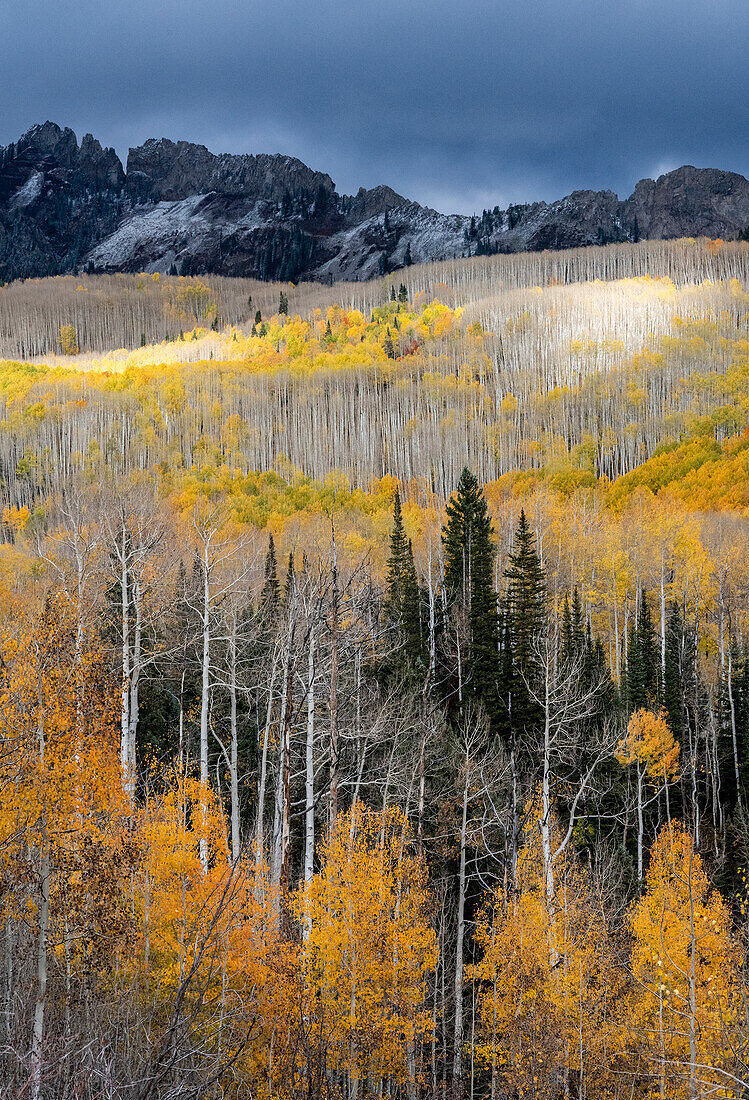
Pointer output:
x,y
206,940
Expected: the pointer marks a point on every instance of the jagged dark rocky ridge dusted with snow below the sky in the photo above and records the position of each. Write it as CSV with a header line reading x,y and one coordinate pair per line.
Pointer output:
x,y
181,208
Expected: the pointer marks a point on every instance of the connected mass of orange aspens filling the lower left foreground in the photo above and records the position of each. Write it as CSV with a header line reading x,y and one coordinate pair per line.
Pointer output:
x,y
131,906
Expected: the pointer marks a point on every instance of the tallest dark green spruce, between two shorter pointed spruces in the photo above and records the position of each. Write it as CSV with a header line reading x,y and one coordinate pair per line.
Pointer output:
x,y
469,582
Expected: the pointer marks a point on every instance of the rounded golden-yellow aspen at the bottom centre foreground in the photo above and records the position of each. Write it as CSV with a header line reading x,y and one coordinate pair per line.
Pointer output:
x,y
369,948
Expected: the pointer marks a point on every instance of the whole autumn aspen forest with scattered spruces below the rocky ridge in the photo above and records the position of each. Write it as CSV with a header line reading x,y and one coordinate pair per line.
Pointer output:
x,y
374,683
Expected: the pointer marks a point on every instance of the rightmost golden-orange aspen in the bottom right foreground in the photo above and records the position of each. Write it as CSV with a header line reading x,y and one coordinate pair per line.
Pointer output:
x,y
684,1010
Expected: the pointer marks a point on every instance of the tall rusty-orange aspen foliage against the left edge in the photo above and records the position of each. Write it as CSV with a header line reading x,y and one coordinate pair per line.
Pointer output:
x,y
63,809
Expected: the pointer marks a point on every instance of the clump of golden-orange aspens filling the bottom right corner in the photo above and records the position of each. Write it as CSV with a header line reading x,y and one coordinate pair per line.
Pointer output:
x,y
660,1003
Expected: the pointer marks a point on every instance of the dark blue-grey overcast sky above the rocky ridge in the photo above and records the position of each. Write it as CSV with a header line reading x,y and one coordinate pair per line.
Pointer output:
x,y
458,105
